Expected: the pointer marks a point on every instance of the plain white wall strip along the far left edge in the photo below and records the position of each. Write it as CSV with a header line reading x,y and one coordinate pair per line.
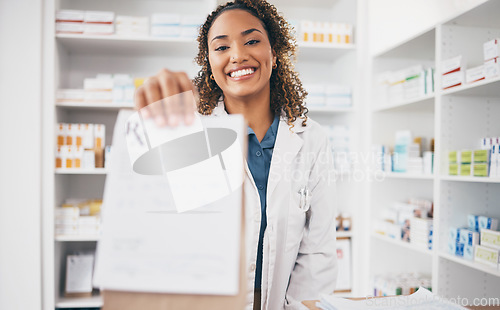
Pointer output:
x,y
20,125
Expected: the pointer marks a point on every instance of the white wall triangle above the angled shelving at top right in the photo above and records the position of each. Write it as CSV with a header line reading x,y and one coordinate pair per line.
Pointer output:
x,y
391,21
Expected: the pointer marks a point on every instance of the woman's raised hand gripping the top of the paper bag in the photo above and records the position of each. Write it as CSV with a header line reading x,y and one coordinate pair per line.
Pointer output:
x,y
155,98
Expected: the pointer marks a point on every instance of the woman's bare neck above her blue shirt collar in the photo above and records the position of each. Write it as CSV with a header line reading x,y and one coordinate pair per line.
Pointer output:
x,y
256,110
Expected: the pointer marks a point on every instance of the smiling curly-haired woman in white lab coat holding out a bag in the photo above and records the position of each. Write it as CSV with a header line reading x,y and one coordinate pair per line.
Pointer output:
x,y
245,49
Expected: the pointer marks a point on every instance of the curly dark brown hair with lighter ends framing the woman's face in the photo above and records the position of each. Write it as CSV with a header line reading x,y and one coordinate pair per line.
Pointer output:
x,y
287,93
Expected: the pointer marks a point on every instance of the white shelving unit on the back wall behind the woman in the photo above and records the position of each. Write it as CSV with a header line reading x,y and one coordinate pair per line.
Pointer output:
x,y
69,58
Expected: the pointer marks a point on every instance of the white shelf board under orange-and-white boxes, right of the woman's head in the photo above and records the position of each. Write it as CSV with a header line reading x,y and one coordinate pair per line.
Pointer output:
x,y
315,51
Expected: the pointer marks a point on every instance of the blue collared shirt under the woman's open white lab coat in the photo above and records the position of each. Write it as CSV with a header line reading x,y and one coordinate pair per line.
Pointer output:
x,y
259,162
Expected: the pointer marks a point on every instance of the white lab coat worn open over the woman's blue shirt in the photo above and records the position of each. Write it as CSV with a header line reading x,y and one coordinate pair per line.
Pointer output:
x,y
299,254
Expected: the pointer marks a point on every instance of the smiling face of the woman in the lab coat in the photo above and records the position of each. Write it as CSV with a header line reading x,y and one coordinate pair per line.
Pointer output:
x,y
240,54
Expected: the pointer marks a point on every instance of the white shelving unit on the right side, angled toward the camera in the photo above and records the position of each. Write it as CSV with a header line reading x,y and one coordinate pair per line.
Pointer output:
x,y
457,118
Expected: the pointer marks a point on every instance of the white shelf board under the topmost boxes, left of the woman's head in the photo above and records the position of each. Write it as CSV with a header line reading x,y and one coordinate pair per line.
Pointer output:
x,y
114,45
